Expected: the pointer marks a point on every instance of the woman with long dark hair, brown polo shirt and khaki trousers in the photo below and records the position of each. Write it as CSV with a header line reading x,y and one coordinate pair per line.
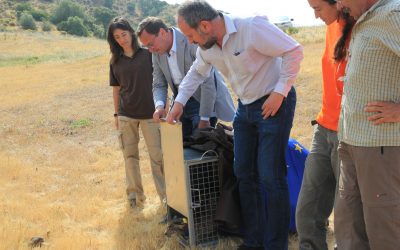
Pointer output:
x,y
131,79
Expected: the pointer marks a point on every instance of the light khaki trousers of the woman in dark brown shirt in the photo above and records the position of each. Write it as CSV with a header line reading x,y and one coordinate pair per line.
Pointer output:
x,y
129,141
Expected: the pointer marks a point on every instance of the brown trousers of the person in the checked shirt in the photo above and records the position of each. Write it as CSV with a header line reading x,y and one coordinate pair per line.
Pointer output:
x,y
367,211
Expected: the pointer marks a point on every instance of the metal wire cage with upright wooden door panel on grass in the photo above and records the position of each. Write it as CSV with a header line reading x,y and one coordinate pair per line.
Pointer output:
x,y
192,186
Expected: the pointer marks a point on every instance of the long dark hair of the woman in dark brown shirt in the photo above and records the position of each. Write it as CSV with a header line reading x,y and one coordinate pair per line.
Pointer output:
x,y
116,50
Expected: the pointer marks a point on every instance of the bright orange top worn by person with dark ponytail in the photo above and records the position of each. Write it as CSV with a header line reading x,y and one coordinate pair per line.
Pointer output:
x,y
332,76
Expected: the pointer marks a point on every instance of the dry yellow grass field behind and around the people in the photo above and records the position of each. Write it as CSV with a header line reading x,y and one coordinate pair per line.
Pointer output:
x,y
62,174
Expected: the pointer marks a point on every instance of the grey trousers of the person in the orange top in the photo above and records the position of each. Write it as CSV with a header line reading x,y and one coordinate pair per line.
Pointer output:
x,y
318,189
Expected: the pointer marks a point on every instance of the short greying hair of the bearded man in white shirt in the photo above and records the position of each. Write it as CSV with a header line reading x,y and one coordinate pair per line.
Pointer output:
x,y
195,11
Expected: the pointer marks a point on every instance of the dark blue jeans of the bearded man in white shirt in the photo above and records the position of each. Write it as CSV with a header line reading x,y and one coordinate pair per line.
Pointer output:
x,y
260,147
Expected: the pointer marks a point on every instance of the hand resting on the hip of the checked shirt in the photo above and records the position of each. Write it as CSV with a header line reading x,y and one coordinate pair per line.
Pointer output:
x,y
386,112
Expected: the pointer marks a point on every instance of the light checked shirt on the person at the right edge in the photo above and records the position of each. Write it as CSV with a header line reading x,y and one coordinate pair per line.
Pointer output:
x,y
372,74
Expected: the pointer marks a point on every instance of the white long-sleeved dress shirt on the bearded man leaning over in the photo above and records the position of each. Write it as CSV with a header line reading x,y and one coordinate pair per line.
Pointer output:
x,y
256,57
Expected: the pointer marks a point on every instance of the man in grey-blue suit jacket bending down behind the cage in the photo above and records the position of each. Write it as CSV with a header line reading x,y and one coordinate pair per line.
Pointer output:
x,y
173,56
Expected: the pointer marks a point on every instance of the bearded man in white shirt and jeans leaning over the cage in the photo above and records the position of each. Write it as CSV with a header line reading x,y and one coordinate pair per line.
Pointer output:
x,y
261,62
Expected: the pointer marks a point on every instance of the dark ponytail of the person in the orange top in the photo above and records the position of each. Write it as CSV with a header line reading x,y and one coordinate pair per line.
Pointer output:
x,y
340,48
